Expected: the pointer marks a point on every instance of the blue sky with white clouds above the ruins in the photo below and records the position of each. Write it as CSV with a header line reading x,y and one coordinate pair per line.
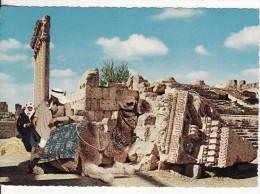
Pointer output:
x,y
214,45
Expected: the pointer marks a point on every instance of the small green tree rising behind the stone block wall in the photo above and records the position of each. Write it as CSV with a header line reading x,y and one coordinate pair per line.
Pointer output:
x,y
114,73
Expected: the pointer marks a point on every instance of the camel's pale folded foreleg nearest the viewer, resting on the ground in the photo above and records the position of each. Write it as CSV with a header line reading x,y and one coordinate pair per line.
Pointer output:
x,y
93,171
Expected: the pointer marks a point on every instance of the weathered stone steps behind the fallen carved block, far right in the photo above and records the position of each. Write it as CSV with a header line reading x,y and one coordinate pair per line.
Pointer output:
x,y
240,117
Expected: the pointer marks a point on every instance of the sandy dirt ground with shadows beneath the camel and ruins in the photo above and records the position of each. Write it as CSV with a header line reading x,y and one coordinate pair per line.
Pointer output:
x,y
14,171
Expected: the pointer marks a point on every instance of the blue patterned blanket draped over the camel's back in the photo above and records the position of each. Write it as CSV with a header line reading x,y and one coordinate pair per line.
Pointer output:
x,y
62,143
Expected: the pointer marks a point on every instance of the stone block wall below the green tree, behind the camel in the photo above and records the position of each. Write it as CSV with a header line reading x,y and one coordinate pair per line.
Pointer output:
x,y
97,102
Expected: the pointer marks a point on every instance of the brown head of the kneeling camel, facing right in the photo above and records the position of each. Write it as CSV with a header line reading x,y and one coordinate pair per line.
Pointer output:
x,y
140,106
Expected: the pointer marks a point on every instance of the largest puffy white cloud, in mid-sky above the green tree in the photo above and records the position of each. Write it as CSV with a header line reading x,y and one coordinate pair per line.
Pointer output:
x,y
135,47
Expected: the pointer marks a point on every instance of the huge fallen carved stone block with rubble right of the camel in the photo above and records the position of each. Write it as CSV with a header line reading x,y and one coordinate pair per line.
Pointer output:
x,y
182,128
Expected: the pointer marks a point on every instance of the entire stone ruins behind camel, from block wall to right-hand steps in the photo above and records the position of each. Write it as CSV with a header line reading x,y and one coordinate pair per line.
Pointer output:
x,y
186,123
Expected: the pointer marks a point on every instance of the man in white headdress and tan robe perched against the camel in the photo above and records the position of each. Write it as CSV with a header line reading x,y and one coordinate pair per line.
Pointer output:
x,y
49,115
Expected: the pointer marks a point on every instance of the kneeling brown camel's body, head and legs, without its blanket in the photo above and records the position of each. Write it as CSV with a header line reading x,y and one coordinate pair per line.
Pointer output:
x,y
100,142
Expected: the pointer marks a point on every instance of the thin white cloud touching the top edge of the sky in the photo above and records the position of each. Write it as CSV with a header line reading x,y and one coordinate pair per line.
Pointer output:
x,y
169,13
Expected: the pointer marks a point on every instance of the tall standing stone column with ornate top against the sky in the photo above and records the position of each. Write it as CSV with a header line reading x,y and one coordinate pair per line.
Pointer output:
x,y
40,44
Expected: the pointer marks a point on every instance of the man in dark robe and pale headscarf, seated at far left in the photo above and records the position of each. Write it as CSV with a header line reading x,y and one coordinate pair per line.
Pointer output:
x,y
30,137
